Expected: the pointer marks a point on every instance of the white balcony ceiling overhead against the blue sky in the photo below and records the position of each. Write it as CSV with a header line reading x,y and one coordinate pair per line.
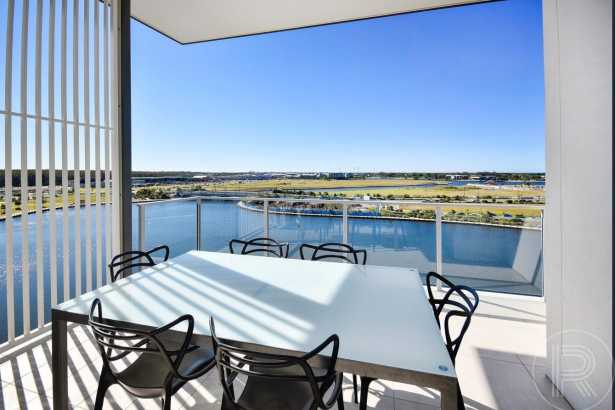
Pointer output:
x,y
189,21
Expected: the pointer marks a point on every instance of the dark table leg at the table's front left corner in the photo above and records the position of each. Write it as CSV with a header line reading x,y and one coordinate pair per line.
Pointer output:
x,y
59,363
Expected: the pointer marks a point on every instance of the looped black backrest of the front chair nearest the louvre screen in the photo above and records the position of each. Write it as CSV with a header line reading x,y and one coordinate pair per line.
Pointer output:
x,y
117,342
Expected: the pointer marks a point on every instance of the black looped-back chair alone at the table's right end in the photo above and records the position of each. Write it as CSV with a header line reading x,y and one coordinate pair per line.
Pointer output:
x,y
457,305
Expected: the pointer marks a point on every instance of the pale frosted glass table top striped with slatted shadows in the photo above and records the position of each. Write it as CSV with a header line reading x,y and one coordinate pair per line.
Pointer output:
x,y
380,314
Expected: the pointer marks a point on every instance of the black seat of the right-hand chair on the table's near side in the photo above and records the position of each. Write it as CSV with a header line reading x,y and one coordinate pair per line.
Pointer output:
x,y
262,393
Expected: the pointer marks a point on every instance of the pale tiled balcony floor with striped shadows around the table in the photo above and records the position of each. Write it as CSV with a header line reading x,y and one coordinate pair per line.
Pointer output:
x,y
501,365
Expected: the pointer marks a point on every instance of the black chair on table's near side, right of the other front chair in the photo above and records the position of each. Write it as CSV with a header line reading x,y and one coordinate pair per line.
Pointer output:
x,y
278,382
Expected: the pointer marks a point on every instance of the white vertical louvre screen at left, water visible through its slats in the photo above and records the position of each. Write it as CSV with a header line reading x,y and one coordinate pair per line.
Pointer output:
x,y
57,118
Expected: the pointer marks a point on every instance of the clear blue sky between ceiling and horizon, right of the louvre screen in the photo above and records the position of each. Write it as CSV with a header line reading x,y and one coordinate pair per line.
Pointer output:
x,y
445,90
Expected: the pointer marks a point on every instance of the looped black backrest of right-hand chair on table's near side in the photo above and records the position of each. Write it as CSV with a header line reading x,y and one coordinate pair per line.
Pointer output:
x,y
232,361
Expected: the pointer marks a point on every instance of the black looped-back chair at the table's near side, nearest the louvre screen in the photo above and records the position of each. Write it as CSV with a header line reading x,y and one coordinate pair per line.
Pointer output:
x,y
158,370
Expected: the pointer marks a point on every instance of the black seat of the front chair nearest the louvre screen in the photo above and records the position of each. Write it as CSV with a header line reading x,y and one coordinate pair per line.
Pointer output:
x,y
146,376
